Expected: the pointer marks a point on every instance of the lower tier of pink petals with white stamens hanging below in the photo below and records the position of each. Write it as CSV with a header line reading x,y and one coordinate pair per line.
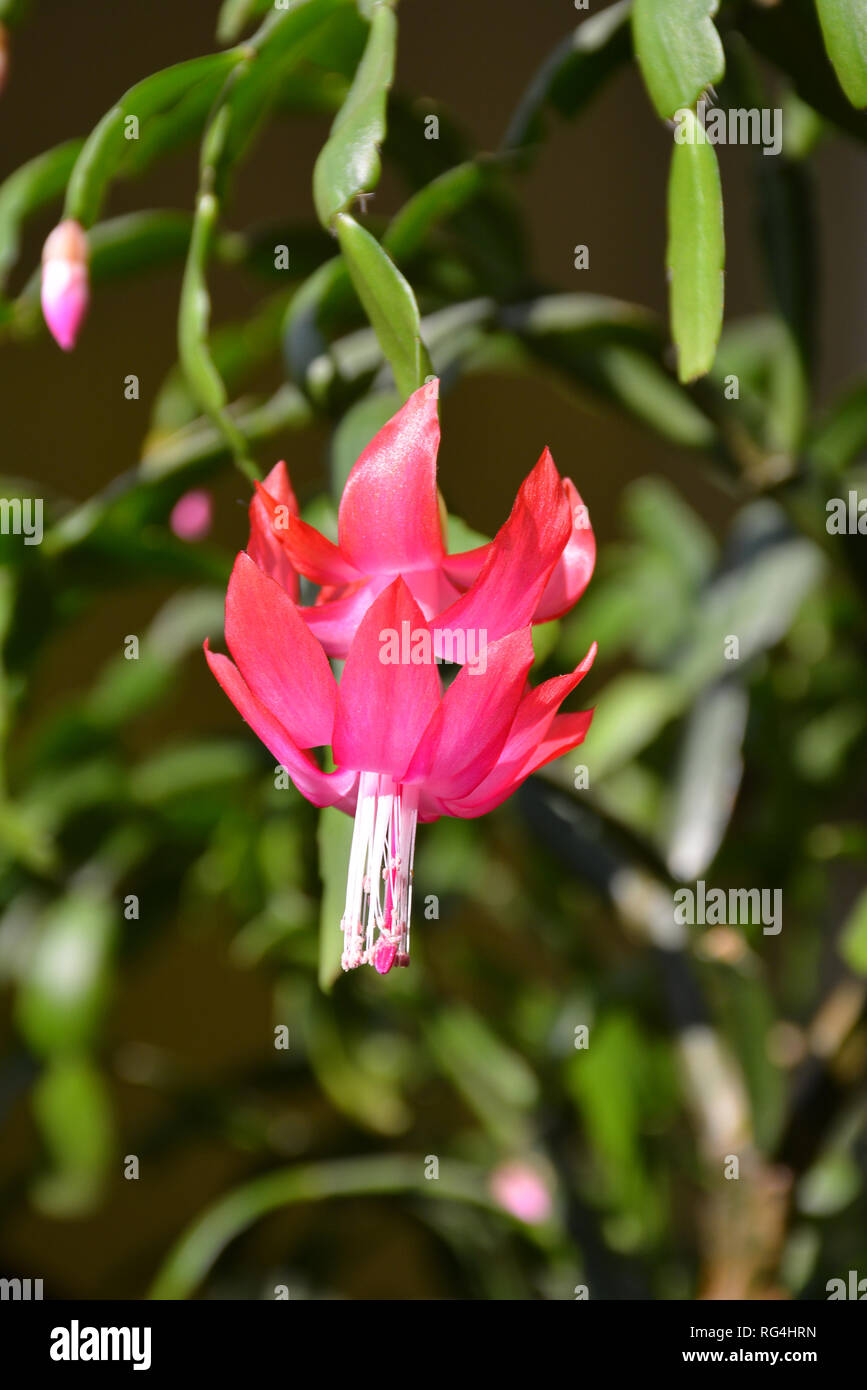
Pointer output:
x,y
404,751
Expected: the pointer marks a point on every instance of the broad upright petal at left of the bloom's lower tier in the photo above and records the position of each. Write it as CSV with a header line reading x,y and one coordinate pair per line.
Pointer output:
x,y
280,660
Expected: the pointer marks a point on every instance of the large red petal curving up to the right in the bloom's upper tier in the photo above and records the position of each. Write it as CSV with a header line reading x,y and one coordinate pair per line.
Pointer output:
x,y
520,561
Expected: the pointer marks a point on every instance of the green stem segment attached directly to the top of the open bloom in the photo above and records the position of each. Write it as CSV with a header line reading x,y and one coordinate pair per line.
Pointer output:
x,y
388,302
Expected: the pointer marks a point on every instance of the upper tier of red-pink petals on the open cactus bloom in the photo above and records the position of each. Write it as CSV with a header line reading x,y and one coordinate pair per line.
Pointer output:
x,y
391,523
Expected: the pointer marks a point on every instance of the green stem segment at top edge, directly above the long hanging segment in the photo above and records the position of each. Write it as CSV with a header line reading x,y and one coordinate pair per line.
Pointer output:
x,y
679,51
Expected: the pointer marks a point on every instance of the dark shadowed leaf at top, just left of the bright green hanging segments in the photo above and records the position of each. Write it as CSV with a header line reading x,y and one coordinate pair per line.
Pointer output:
x,y
572,76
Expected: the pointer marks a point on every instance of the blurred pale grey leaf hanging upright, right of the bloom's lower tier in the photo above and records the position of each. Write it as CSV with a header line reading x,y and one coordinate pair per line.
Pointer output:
x,y
707,780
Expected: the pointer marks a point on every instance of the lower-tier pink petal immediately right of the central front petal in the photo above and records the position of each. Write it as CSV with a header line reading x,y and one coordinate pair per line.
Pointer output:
x,y
468,732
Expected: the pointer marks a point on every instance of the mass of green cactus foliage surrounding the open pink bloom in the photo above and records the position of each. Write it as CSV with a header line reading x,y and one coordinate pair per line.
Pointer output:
x,y
556,914
